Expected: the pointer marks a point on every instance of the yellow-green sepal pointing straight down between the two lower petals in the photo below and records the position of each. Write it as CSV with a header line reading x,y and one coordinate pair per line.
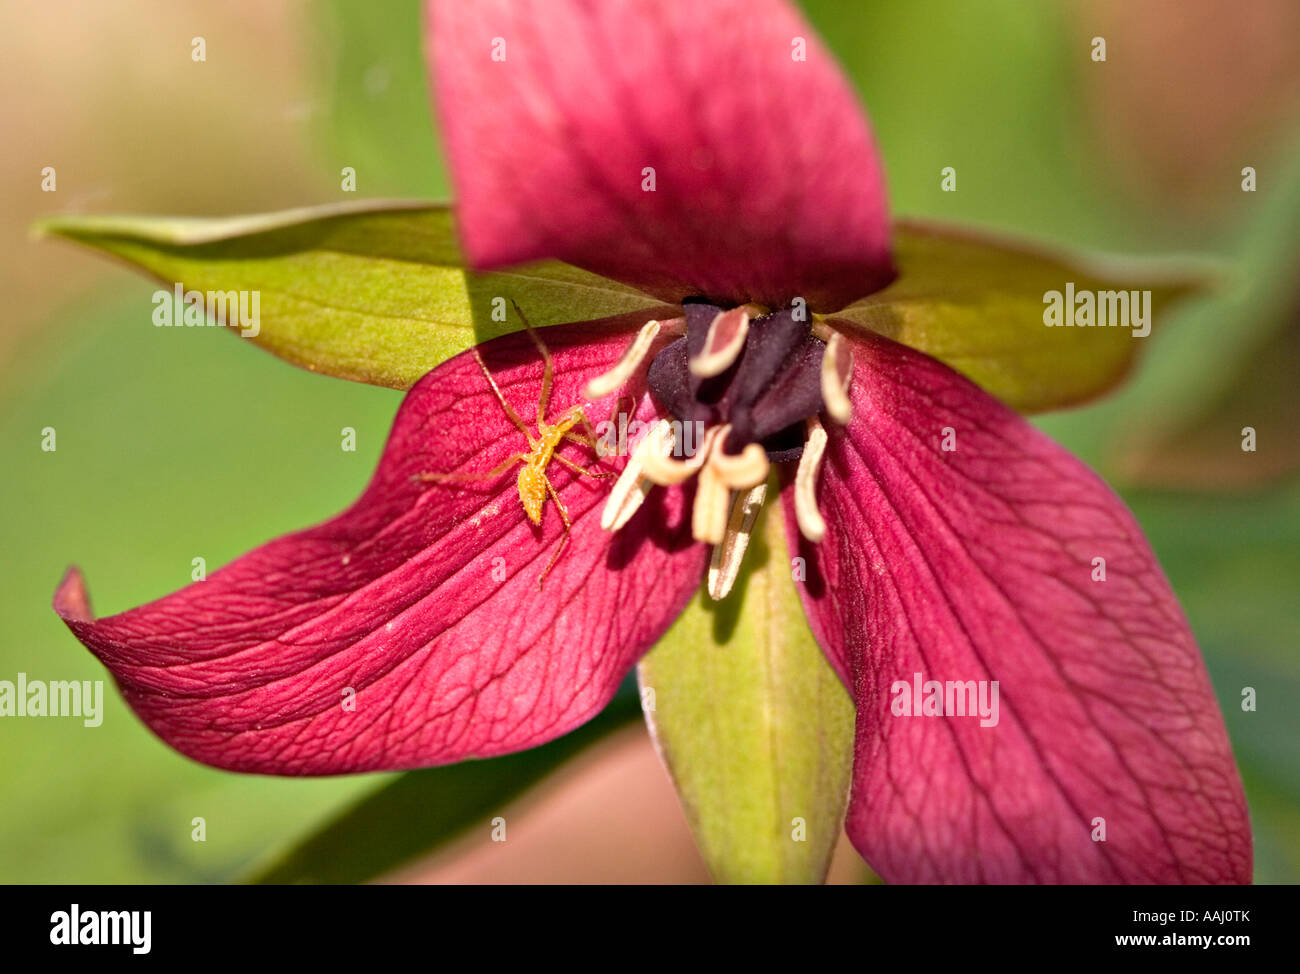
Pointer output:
x,y
755,726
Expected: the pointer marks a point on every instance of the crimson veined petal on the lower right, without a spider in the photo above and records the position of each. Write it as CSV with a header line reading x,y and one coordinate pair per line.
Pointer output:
x,y
978,565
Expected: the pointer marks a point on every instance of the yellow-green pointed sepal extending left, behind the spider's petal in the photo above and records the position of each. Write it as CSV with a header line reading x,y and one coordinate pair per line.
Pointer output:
x,y
374,292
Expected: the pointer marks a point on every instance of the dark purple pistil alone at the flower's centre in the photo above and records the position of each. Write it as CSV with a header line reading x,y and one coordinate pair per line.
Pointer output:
x,y
766,395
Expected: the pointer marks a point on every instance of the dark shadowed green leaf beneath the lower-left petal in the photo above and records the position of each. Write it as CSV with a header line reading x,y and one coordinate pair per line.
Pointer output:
x,y
423,811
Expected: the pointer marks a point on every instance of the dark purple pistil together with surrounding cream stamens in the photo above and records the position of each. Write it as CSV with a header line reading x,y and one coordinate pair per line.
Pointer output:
x,y
756,383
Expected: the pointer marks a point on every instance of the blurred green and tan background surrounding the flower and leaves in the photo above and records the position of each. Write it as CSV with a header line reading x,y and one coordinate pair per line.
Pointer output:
x,y
176,444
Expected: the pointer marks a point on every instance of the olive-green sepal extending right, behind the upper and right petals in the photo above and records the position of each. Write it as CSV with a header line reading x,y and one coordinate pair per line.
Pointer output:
x,y
977,304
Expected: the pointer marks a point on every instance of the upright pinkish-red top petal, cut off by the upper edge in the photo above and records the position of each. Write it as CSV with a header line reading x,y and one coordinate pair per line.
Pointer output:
x,y
768,184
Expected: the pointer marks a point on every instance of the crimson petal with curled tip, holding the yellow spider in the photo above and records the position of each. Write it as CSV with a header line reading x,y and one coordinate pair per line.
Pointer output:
x,y
422,599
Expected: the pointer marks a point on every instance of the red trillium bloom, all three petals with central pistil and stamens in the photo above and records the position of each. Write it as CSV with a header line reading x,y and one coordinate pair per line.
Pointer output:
x,y
712,155
